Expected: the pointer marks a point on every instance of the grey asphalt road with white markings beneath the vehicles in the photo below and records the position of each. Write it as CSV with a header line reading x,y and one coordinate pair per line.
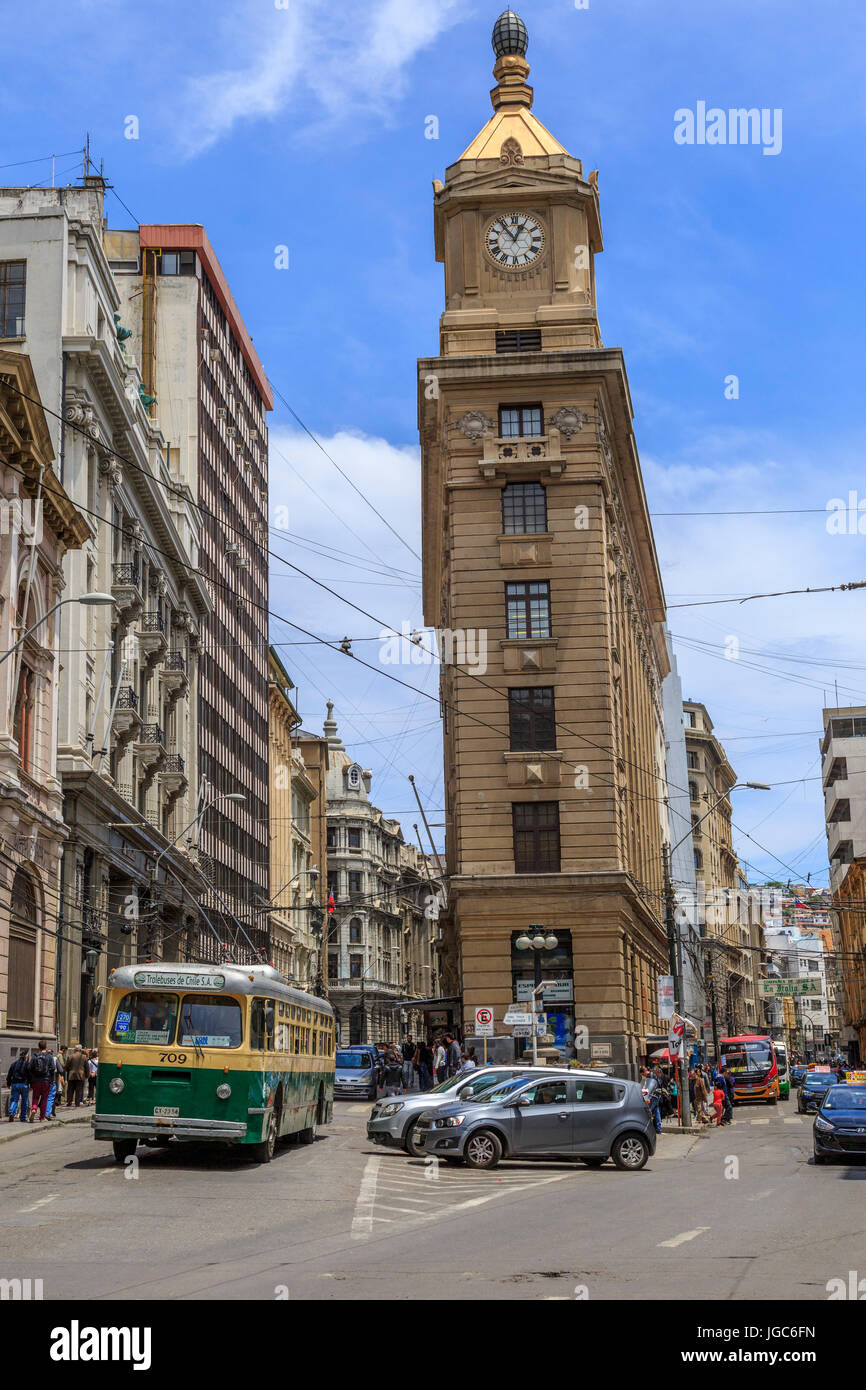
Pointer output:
x,y
742,1214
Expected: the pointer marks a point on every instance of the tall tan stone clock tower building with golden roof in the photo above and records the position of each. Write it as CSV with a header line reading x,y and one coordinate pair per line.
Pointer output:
x,y
540,564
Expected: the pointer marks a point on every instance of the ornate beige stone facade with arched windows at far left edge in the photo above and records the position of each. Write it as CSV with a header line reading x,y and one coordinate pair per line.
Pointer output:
x,y
38,526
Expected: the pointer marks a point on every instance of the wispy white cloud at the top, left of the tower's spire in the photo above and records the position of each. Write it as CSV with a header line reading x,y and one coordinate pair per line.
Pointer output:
x,y
344,60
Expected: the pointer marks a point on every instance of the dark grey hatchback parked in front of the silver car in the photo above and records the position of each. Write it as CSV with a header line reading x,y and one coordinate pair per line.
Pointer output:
x,y
569,1117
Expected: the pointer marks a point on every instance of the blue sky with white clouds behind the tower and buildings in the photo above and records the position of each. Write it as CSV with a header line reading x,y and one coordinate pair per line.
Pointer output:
x,y
305,127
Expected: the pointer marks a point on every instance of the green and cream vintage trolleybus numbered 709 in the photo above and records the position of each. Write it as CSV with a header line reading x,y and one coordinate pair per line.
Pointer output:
x,y
229,1054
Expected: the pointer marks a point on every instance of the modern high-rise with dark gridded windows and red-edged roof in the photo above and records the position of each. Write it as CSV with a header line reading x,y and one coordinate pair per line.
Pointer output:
x,y
198,359
